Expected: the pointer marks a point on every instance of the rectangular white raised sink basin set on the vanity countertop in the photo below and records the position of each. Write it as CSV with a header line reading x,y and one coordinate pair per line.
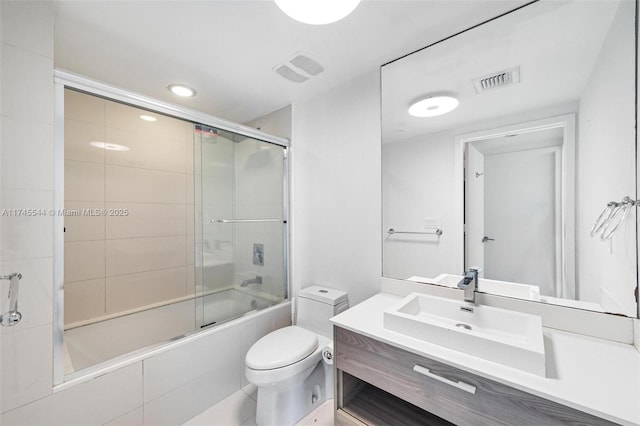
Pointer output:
x,y
510,338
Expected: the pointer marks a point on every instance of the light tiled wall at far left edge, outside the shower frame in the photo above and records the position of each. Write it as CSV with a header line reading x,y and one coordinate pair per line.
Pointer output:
x,y
26,246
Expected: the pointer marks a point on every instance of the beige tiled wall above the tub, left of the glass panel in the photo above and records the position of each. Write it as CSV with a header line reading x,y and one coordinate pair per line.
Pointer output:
x,y
140,253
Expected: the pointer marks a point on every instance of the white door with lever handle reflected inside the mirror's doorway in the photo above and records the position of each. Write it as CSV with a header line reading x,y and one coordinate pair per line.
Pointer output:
x,y
520,214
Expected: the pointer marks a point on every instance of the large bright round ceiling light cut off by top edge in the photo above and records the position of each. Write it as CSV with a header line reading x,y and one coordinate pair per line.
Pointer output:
x,y
317,12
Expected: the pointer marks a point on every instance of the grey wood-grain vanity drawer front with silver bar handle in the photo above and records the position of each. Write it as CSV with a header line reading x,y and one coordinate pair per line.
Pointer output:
x,y
450,393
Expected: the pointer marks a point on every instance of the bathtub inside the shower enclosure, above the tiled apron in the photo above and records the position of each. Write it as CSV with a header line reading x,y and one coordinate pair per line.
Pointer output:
x,y
96,343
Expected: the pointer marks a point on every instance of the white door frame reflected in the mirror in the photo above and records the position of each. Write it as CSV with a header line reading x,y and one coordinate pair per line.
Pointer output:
x,y
566,285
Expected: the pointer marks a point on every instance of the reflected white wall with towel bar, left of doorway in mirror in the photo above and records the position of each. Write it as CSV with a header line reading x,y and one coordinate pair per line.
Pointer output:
x,y
418,183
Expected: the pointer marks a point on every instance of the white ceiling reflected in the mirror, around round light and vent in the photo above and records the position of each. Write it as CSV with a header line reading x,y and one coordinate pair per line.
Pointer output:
x,y
555,45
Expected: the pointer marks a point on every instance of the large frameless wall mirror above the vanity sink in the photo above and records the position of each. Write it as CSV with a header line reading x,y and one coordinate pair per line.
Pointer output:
x,y
511,147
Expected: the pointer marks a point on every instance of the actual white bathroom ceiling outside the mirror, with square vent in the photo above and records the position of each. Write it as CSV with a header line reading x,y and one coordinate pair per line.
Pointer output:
x,y
226,50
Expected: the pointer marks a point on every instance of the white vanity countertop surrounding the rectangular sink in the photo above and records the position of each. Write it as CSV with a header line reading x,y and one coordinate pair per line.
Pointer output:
x,y
596,376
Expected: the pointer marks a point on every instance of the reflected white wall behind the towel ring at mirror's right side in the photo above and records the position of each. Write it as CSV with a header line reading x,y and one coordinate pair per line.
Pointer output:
x,y
605,129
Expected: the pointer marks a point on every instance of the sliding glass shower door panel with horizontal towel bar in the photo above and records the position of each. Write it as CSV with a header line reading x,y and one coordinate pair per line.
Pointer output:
x,y
242,244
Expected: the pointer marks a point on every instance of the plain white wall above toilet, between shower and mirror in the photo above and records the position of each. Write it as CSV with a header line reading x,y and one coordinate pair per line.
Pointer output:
x,y
336,189
